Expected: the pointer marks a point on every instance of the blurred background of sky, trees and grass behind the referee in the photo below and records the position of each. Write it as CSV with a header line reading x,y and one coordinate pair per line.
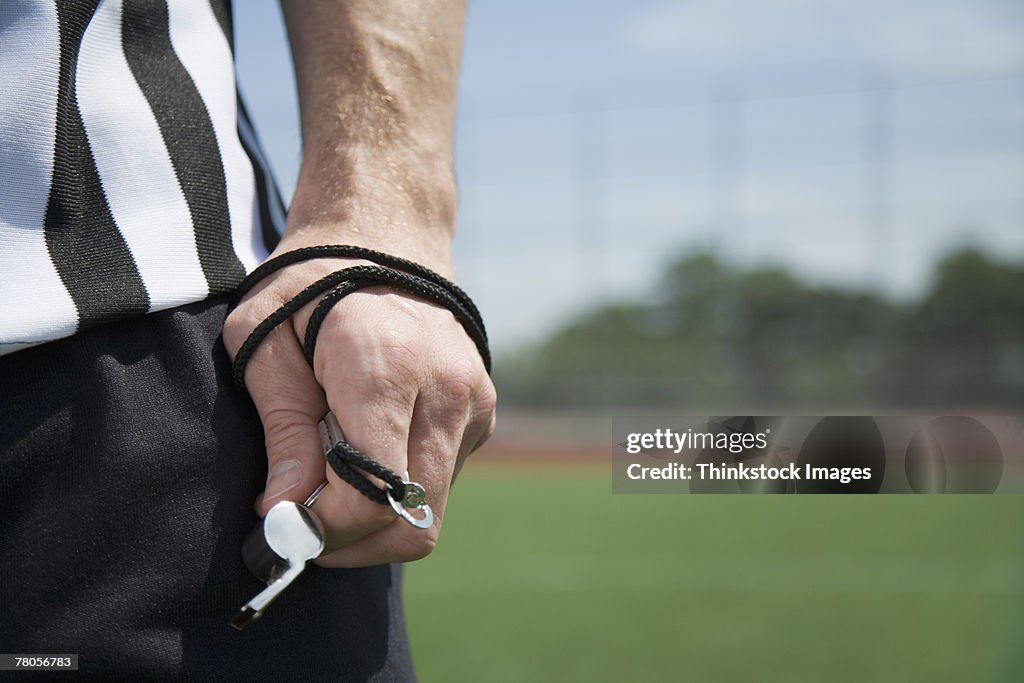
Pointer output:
x,y
722,207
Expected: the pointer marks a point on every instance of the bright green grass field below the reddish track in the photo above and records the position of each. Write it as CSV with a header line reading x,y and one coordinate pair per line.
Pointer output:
x,y
547,577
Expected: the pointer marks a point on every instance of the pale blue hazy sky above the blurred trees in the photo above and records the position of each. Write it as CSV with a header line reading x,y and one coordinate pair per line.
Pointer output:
x,y
854,143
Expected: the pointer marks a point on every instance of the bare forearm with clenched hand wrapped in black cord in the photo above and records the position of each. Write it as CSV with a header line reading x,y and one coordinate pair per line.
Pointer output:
x,y
377,86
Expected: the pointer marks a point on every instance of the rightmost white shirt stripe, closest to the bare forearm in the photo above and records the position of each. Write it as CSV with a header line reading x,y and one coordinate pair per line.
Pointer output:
x,y
202,48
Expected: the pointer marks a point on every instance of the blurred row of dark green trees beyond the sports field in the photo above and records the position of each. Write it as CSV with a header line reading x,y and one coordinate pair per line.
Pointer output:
x,y
715,336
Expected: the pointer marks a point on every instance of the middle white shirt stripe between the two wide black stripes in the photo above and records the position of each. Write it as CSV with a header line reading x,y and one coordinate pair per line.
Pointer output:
x,y
135,167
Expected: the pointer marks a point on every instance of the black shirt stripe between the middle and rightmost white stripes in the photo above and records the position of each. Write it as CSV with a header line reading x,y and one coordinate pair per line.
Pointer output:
x,y
189,135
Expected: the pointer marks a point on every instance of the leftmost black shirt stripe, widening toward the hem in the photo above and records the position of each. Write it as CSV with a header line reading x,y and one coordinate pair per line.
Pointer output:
x,y
89,252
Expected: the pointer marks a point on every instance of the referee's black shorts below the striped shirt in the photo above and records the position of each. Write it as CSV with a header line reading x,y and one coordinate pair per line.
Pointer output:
x,y
129,468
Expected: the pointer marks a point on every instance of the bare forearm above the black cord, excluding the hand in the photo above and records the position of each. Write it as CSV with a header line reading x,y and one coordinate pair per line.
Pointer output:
x,y
377,83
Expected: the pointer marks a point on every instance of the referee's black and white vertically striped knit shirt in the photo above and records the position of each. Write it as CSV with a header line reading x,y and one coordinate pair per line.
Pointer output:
x,y
131,177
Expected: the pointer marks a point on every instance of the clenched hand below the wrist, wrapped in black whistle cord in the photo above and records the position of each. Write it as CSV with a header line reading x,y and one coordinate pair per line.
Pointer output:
x,y
407,385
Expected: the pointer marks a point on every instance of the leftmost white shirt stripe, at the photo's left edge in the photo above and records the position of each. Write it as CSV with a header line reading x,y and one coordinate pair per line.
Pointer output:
x,y
35,307
